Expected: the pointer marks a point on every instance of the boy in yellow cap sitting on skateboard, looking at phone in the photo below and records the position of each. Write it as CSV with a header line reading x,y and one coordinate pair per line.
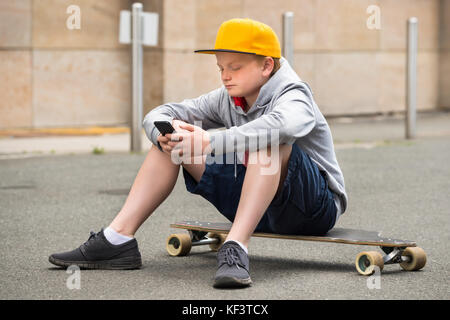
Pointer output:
x,y
273,169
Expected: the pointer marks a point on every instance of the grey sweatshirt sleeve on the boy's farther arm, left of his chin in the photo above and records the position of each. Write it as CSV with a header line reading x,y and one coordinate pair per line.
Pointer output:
x,y
199,110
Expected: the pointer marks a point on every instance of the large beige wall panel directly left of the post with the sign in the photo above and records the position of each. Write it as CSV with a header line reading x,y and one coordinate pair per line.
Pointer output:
x,y
80,87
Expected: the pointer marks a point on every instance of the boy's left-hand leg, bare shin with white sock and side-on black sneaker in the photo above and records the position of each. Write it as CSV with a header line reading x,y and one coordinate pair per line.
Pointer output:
x,y
154,182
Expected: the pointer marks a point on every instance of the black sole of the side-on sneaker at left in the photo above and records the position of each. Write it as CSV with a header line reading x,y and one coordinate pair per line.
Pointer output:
x,y
126,263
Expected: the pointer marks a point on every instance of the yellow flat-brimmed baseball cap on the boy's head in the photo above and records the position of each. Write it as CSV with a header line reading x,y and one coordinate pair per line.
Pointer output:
x,y
246,36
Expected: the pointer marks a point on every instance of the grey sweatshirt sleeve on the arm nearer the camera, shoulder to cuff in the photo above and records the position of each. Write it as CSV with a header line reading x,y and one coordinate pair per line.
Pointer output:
x,y
292,117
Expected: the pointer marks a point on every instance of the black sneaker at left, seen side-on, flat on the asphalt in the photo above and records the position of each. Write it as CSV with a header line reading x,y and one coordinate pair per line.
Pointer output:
x,y
98,253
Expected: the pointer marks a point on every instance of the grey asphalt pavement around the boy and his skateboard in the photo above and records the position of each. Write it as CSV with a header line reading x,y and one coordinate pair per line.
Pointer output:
x,y
49,201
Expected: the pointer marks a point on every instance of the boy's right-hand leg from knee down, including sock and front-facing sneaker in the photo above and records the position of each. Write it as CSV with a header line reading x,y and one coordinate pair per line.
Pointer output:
x,y
263,178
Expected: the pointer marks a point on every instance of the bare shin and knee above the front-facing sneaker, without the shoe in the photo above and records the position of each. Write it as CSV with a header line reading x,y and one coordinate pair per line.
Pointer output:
x,y
258,190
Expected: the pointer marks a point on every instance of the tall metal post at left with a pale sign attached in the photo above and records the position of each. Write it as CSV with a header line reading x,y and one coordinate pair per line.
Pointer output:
x,y
137,54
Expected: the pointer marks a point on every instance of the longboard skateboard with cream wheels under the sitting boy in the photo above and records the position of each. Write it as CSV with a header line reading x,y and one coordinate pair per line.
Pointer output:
x,y
404,252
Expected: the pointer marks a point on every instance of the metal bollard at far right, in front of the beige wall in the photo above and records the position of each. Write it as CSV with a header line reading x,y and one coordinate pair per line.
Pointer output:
x,y
411,77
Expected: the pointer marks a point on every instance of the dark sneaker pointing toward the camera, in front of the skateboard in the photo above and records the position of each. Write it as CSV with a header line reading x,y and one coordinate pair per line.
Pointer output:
x,y
233,267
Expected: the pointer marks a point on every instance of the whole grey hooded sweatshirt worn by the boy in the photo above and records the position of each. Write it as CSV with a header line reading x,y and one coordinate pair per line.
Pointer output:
x,y
284,112
